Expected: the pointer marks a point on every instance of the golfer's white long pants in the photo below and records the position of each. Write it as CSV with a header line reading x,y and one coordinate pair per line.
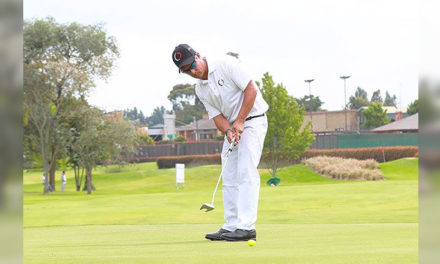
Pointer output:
x,y
241,180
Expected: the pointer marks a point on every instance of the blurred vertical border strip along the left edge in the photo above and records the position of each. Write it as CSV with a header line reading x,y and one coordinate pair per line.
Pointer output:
x,y
11,24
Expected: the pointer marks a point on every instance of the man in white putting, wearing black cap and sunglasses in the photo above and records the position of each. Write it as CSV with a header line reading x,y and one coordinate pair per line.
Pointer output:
x,y
231,98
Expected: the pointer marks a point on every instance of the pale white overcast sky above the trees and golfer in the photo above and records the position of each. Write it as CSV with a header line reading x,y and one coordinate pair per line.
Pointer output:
x,y
373,41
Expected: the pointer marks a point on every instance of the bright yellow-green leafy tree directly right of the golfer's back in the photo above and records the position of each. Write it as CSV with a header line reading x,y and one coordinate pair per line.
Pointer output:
x,y
284,137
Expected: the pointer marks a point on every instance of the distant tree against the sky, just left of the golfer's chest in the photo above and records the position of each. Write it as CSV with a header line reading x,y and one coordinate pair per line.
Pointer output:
x,y
186,104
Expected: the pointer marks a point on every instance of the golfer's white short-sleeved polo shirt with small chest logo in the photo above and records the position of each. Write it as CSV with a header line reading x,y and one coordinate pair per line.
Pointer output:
x,y
223,92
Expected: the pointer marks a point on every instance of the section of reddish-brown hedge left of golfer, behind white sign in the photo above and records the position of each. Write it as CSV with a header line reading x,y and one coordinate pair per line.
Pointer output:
x,y
188,160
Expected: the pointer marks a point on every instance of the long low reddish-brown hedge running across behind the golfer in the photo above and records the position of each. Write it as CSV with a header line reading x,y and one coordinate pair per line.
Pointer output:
x,y
391,153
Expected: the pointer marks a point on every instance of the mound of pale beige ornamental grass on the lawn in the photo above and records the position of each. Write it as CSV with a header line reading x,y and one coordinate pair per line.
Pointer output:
x,y
345,169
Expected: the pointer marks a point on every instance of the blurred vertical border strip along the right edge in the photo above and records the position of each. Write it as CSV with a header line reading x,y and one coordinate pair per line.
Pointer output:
x,y
429,124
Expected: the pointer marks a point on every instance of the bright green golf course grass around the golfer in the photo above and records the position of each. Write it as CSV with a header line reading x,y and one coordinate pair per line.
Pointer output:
x,y
138,216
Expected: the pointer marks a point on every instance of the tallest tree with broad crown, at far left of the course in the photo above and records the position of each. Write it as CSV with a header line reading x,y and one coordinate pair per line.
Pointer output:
x,y
60,61
